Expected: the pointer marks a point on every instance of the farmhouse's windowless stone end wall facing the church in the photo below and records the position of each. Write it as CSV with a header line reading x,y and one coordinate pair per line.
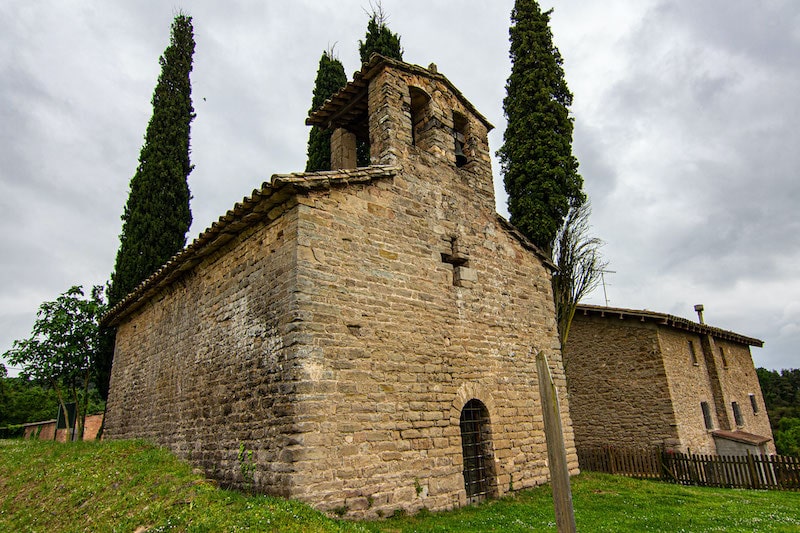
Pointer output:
x,y
617,384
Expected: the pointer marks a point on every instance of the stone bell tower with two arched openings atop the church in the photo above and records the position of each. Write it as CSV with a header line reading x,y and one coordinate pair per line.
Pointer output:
x,y
408,114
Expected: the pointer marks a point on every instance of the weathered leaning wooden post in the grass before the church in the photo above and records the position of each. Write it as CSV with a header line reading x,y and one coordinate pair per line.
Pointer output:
x,y
556,452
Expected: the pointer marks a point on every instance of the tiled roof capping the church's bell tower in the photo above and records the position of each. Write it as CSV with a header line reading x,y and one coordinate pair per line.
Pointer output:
x,y
350,102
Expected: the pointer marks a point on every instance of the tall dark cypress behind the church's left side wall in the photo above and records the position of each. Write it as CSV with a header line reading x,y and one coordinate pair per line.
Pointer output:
x,y
157,215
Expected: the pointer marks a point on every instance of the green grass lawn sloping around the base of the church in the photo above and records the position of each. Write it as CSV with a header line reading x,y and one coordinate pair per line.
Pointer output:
x,y
133,486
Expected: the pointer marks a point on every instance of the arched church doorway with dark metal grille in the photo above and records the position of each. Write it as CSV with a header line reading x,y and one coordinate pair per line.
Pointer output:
x,y
476,447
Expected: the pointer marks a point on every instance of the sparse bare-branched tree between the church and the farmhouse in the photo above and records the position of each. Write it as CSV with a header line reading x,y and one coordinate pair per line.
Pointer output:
x,y
580,266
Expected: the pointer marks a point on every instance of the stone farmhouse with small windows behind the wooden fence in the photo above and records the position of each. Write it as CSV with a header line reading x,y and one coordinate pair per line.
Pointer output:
x,y
639,379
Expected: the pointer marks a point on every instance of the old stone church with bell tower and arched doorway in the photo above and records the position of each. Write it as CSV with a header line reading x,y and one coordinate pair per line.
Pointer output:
x,y
359,339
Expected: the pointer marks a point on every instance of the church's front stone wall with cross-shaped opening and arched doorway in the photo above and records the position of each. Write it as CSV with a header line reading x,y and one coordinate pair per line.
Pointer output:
x,y
401,339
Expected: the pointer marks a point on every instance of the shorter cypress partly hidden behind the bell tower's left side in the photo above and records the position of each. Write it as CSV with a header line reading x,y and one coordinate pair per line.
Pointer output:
x,y
330,78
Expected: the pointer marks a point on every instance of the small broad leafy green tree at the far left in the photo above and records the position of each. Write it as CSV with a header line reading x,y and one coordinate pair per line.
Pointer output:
x,y
63,345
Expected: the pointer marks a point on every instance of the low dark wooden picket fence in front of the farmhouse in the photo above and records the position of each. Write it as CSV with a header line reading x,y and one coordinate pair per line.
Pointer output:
x,y
749,471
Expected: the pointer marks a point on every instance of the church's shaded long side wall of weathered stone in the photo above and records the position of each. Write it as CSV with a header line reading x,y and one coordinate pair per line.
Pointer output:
x,y
207,365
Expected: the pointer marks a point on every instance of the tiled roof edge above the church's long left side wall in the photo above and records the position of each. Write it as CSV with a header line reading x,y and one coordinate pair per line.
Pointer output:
x,y
264,203
